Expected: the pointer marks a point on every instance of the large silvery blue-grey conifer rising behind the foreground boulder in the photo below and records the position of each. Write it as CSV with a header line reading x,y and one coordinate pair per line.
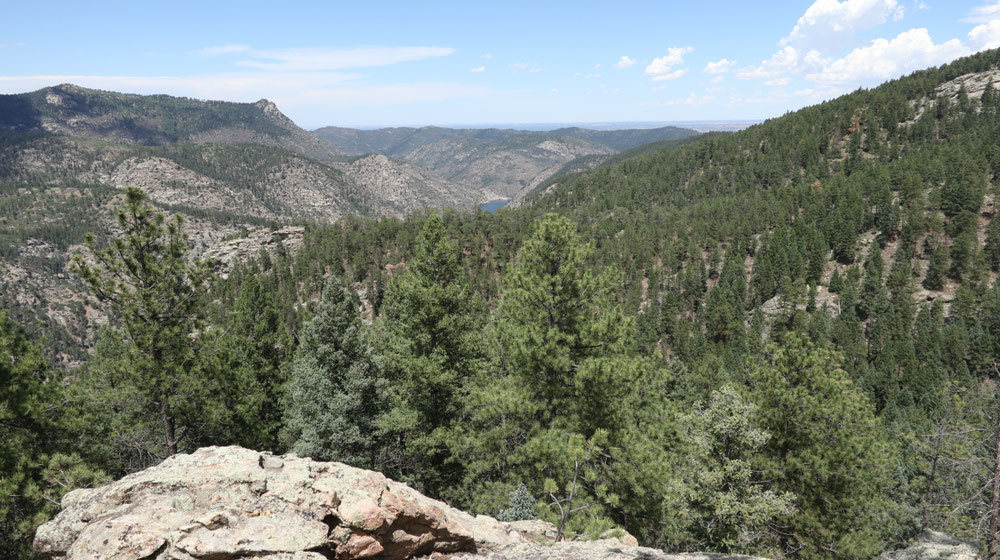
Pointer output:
x,y
336,395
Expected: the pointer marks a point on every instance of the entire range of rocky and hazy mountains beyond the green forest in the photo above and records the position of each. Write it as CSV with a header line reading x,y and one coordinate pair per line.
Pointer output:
x,y
67,151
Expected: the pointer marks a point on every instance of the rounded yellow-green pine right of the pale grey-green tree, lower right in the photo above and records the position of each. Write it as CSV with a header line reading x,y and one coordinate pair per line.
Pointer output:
x,y
827,448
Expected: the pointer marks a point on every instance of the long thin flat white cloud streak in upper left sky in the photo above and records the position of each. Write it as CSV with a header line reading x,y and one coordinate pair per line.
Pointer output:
x,y
322,58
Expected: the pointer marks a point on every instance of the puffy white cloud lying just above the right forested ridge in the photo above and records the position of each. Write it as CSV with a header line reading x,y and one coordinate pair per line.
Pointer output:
x,y
884,59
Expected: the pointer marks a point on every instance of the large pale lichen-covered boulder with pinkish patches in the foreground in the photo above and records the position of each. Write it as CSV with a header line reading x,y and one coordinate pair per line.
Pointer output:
x,y
223,503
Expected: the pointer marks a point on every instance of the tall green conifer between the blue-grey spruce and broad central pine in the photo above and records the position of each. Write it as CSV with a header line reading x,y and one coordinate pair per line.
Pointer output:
x,y
430,342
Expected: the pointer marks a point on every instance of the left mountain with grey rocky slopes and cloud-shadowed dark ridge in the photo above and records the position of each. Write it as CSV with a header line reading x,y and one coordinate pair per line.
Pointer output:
x,y
66,152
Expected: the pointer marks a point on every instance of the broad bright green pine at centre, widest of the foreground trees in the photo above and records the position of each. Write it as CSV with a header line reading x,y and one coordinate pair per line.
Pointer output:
x,y
573,406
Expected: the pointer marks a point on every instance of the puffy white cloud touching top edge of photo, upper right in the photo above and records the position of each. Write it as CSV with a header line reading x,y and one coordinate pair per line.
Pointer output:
x,y
829,24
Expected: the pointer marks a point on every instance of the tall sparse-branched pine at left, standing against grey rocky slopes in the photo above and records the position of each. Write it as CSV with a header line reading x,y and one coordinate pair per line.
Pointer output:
x,y
157,294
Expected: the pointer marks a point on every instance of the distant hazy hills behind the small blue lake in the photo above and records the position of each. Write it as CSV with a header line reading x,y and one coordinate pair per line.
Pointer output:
x,y
506,161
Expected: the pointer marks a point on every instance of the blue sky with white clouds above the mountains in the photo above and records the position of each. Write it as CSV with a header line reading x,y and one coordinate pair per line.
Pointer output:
x,y
467,63
